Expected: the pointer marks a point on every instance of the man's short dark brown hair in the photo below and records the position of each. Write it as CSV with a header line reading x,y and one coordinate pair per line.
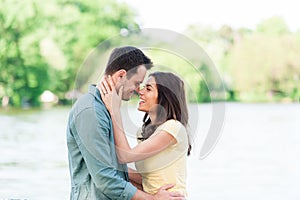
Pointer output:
x,y
127,58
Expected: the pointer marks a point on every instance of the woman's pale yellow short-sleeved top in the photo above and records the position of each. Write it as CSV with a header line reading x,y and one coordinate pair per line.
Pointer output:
x,y
169,165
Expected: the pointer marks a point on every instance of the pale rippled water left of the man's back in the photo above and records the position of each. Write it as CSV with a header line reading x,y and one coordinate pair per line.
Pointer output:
x,y
33,155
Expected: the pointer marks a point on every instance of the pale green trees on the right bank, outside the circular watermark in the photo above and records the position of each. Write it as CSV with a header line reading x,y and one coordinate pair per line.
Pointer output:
x,y
257,65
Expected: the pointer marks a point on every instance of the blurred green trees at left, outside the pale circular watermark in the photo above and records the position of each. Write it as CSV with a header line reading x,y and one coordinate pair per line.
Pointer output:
x,y
43,43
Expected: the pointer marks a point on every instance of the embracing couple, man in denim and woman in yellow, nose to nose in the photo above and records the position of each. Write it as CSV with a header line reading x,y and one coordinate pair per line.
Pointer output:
x,y
97,146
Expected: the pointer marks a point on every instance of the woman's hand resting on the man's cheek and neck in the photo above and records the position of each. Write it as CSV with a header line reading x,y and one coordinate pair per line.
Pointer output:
x,y
109,95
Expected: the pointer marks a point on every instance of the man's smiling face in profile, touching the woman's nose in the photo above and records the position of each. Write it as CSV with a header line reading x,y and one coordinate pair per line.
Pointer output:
x,y
132,84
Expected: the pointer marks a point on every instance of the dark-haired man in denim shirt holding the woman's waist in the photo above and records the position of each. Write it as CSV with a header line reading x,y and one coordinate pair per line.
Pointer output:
x,y
94,167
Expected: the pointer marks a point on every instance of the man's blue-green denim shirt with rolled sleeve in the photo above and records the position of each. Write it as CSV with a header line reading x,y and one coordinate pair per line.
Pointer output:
x,y
94,168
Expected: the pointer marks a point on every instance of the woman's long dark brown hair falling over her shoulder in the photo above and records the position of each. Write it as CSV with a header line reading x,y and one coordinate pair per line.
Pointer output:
x,y
171,103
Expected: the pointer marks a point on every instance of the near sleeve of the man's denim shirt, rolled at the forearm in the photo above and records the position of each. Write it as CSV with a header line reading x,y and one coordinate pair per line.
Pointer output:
x,y
97,151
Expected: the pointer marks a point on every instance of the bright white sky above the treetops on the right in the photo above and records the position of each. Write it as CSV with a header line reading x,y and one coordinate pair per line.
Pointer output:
x,y
177,15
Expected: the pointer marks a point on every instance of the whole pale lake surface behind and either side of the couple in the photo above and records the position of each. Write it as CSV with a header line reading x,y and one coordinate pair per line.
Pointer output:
x,y
257,156
